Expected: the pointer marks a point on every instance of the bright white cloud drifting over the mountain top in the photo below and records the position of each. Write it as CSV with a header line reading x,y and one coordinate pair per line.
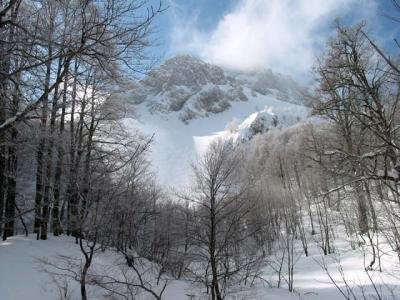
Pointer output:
x,y
279,34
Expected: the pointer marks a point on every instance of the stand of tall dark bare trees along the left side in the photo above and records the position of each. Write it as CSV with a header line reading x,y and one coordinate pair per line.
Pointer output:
x,y
62,63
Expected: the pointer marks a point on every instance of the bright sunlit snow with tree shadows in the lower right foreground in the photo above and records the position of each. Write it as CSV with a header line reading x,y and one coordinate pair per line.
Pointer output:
x,y
311,281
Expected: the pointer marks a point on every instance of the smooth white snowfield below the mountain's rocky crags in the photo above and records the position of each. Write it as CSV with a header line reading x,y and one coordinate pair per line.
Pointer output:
x,y
177,144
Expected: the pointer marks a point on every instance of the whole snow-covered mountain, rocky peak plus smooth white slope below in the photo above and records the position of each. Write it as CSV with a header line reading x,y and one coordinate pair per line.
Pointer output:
x,y
186,103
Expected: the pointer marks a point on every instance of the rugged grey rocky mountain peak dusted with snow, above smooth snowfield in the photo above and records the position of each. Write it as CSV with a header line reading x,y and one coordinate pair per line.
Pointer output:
x,y
188,88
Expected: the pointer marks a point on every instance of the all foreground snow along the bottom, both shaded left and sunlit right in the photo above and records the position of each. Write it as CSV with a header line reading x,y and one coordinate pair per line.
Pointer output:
x,y
22,276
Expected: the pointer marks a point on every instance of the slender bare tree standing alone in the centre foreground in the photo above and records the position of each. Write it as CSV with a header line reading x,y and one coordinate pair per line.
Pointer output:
x,y
221,214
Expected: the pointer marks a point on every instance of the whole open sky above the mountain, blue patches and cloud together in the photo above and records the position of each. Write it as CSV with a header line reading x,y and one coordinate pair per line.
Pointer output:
x,y
283,35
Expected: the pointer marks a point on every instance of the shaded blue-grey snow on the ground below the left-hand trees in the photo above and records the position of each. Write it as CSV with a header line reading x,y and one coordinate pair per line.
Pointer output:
x,y
22,276
